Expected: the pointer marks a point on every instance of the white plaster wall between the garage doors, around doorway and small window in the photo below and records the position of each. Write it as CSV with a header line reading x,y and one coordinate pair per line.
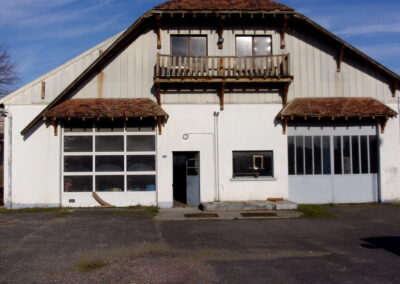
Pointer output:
x,y
241,127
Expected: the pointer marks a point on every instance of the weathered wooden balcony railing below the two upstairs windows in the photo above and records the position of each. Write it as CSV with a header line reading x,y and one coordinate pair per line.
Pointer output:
x,y
222,68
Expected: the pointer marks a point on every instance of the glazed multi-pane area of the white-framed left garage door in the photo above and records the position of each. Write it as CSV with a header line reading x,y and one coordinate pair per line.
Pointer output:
x,y
109,156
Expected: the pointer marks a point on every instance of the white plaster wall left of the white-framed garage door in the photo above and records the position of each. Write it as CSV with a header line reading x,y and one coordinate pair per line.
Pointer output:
x,y
35,161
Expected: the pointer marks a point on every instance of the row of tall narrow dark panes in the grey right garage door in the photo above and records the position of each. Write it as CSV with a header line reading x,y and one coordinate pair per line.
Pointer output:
x,y
311,155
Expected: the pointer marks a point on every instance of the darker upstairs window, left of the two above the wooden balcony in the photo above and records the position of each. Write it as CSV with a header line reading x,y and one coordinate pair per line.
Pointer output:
x,y
189,45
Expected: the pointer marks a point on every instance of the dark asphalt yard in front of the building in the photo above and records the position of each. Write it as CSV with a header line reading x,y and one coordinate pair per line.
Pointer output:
x,y
360,245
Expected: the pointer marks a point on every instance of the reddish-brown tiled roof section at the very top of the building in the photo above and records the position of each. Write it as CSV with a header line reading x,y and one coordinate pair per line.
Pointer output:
x,y
244,5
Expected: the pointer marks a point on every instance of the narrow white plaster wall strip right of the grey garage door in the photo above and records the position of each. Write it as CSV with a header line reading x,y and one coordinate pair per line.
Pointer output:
x,y
390,160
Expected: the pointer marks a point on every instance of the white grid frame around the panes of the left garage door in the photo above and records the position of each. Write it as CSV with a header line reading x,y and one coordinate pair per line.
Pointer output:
x,y
92,132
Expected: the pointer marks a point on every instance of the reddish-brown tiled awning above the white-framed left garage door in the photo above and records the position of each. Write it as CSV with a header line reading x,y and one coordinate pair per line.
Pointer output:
x,y
106,108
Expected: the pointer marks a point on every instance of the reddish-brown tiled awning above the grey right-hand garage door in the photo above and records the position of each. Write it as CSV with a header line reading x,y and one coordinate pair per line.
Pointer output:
x,y
336,108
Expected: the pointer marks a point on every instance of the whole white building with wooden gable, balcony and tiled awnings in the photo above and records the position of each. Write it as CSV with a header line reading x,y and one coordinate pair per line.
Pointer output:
x,y
202,101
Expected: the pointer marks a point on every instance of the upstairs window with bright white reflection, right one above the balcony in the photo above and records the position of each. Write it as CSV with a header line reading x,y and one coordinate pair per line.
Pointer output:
x,y
253,45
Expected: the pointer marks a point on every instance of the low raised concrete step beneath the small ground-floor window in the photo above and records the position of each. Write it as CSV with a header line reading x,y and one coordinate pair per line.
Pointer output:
x,y
248,205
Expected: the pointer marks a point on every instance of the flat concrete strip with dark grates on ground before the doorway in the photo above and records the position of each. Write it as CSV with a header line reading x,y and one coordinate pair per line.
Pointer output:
x,y
185,214
